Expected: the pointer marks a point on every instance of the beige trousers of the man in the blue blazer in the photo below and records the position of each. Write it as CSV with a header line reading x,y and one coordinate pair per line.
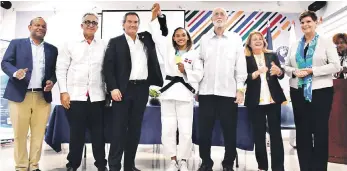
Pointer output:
x,y
32,113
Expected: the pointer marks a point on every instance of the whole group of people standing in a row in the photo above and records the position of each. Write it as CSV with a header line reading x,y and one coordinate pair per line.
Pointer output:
x,y
87,68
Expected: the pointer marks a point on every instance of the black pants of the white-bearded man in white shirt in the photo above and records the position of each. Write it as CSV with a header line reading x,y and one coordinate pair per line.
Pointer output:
x,y
211,107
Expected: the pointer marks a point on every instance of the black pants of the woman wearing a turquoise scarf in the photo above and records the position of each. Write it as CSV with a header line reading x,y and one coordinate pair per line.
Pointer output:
x,y
311,120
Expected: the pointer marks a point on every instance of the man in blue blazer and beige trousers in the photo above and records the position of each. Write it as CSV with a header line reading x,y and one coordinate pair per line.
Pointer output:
x,y
30,65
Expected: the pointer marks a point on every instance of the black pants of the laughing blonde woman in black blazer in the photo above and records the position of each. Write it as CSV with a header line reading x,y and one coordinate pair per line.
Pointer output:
x,y
258,115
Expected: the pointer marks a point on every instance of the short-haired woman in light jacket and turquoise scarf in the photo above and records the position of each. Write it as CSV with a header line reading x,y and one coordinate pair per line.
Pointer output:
x,y
310,64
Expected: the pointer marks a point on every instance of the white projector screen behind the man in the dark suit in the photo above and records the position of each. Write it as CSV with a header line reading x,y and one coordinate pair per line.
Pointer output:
x,y
112,24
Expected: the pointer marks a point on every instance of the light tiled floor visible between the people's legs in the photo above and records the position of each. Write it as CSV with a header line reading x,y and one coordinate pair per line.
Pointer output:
x,y
151,159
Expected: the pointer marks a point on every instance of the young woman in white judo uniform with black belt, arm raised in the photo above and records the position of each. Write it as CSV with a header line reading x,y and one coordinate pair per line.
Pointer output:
x,y
183,72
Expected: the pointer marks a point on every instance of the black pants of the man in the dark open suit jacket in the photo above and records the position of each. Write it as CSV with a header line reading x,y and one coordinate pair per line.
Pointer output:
x,y
126,125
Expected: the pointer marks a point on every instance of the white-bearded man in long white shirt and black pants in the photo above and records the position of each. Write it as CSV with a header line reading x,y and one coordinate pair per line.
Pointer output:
x,y
221,89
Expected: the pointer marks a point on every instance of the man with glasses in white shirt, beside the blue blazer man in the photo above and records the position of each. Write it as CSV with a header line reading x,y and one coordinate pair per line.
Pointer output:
x,y
82,92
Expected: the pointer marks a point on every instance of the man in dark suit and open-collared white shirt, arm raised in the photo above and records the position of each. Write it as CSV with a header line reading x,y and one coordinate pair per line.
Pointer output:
x,y
130,67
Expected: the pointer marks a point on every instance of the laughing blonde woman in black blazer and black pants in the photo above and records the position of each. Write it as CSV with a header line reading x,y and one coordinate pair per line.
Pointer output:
x,y
264,97
